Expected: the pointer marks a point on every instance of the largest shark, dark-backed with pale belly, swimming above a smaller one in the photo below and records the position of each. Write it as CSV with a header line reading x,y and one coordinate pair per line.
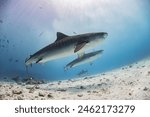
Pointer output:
x,y
66,46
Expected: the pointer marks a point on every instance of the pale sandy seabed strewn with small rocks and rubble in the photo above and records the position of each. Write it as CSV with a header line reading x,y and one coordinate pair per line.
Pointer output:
x,y
127,83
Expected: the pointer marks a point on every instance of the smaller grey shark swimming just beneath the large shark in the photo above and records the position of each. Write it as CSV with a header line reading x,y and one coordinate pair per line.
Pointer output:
x,y
86,58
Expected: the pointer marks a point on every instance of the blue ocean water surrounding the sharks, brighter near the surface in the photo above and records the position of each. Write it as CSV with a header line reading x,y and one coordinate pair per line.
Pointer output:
x,y
26,26
